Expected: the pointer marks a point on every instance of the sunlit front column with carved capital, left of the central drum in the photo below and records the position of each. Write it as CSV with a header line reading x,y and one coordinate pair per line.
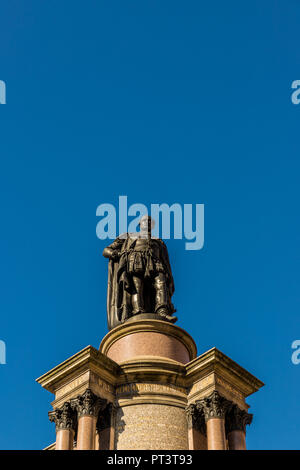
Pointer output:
x,y
87,406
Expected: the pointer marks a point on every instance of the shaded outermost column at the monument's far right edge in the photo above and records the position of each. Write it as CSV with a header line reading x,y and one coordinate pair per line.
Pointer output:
x,y
236,421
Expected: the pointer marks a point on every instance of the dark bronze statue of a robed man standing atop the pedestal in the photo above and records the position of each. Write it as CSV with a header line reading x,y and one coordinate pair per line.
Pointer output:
x,y
139,277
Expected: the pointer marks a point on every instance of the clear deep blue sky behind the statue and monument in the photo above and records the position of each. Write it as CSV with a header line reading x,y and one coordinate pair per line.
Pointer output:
x,y
169,101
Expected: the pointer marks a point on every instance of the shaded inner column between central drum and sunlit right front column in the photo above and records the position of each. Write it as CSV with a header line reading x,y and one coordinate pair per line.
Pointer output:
x,y
196,428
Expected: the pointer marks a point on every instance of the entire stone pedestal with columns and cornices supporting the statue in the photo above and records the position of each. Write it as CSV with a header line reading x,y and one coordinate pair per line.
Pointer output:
x,y
148,390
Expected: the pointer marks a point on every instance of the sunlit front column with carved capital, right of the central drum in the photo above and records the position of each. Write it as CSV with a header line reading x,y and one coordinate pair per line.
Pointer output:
x,y
214,408
